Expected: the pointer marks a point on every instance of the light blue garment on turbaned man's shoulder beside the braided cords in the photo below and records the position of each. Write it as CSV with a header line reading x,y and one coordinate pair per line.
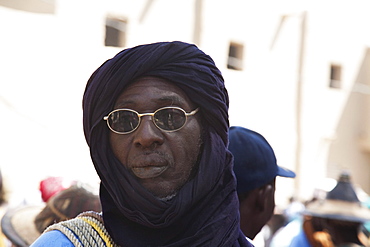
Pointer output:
x,y
53,238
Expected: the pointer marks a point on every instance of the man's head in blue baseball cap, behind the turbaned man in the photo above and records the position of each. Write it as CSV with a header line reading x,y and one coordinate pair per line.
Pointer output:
x,y
255,169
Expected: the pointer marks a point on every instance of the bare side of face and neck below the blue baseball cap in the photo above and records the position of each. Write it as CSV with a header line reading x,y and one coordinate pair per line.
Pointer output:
x,y
256,209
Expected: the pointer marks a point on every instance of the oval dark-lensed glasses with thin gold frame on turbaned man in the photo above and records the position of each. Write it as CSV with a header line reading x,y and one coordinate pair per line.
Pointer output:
x,y
169,119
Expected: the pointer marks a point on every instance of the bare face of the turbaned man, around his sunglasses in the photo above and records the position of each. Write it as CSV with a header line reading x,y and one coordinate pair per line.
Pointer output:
x,y
161,161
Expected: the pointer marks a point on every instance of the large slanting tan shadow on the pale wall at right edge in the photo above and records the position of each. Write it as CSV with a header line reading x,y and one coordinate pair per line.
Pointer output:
x,y
351,149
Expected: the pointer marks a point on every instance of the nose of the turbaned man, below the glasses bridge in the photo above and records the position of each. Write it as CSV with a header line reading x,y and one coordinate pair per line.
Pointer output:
x,y
147,135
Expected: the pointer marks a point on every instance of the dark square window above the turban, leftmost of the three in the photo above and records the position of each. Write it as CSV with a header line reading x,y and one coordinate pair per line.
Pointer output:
x,y
115,32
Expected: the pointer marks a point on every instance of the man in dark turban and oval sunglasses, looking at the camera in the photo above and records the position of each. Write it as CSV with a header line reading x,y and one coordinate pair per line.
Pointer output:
x,y
156,121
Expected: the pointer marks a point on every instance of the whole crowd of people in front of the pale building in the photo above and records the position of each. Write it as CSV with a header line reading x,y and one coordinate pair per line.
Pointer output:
x,y
172,171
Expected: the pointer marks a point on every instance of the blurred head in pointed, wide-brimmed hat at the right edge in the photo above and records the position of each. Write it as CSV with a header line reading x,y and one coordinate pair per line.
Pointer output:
x,y
340,214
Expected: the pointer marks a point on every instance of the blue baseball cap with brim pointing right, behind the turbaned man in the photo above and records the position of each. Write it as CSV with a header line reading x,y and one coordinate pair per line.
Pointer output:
x,y
254,160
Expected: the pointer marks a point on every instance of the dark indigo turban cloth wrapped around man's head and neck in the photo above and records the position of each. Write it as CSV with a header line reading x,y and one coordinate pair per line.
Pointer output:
x,y
205,210
